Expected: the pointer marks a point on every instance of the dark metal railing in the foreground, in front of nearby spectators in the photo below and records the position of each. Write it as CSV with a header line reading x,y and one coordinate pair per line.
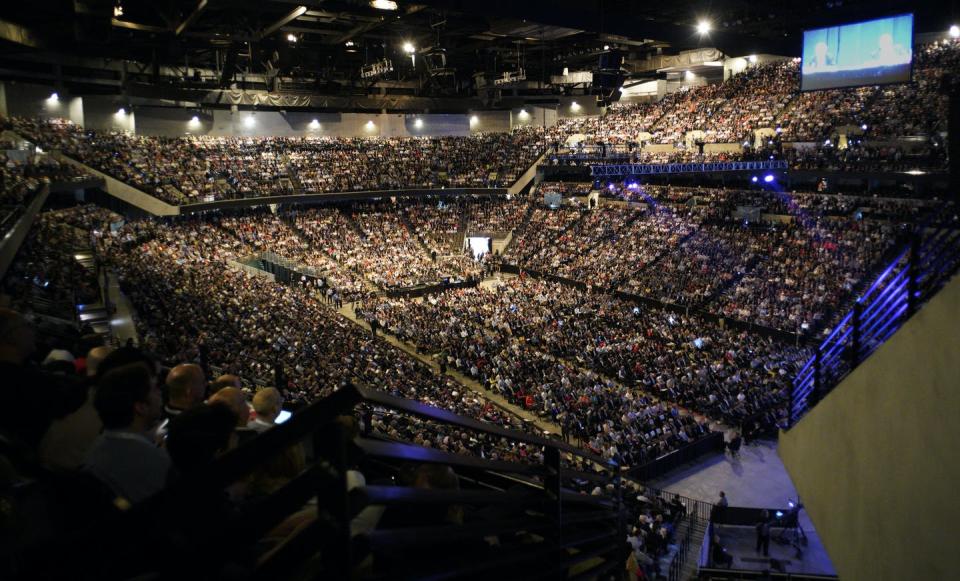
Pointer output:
x,y
544,523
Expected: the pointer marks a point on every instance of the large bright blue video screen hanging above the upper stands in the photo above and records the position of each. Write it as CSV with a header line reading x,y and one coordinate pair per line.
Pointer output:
x,y
875,52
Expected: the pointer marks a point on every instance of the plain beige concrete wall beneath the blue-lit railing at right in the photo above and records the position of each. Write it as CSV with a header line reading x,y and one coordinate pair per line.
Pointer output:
x,y
876,462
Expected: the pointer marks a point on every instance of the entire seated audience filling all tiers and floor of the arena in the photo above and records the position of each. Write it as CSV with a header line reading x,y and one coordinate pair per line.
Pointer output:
x,y
617,337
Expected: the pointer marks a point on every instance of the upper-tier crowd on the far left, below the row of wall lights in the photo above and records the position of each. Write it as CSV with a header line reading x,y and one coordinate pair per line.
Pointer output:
x,y
198,168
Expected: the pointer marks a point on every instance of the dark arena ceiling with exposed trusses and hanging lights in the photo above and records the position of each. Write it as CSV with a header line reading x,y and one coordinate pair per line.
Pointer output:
x,y
321,46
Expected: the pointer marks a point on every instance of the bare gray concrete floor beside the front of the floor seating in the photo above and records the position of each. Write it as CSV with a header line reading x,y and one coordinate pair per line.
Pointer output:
x,y
757,479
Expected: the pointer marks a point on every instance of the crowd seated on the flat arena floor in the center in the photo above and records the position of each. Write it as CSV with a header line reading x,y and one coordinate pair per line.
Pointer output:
x,y
610,370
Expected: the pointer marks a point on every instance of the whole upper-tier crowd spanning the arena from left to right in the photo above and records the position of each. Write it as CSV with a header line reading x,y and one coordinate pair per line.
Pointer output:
x,y
199,168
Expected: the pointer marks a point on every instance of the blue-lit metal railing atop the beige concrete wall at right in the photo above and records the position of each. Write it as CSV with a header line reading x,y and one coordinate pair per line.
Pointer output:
x,y
920,269
